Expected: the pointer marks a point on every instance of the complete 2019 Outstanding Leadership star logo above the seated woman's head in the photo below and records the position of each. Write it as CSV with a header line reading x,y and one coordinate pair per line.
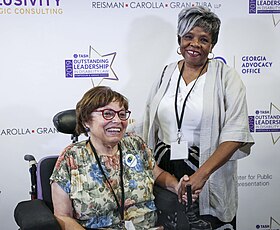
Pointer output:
x,y
91,65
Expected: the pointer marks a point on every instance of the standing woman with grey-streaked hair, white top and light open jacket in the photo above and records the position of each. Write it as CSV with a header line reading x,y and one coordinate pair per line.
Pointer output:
x,y
196,118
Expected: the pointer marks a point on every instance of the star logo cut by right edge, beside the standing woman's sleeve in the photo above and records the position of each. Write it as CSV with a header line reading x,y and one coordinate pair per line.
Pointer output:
x,y
266,121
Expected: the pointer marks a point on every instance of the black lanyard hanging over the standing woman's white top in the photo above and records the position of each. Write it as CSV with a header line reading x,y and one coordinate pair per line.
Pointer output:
x,y
179,120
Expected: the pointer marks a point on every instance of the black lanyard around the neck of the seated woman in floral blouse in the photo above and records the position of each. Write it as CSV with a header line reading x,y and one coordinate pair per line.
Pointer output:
x,y
120,206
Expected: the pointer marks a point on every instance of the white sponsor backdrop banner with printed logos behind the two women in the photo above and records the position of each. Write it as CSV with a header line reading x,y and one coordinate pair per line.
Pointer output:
x,y
52,51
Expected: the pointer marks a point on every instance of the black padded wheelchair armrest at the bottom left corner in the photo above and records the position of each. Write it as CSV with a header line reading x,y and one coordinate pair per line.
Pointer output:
x,y
34,215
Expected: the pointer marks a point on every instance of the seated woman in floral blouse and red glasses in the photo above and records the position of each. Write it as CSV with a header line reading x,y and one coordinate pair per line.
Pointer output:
x,y
107,181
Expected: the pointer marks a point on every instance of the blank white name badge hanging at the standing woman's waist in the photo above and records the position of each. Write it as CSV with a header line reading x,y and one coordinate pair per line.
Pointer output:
x,y
179,150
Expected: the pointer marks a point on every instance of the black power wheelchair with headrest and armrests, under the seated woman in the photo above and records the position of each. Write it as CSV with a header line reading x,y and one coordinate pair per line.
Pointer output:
x,y
37,213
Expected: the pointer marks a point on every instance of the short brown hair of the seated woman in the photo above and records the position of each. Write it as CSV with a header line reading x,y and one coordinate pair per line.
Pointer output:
x,y
93,99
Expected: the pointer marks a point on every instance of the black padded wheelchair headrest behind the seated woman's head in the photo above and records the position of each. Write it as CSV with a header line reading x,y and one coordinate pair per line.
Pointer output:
x,y
65,121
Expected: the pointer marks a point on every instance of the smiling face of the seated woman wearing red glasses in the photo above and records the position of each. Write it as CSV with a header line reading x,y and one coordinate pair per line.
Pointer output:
x,y
107,132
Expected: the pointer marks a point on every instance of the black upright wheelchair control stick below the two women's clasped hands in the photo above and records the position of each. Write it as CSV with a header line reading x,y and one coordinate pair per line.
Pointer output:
x,y
194,221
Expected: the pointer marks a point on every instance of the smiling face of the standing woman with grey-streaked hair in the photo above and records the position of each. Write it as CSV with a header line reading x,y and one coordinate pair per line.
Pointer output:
x,y
195,47
